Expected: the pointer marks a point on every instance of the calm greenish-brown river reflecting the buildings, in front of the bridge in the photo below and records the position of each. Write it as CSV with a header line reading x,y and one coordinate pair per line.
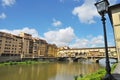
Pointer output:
x,y
47,71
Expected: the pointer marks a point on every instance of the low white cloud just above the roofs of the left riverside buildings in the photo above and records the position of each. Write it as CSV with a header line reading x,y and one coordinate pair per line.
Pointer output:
x,y
31,31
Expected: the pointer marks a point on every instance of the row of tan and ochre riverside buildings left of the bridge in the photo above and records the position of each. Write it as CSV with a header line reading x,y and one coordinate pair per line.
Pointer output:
x,y
24,45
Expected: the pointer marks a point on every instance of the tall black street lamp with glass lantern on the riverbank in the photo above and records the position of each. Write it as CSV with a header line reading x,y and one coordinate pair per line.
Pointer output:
x,y
102,8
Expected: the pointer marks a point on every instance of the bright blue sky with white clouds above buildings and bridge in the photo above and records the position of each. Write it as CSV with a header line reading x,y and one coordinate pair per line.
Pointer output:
x,y
73,23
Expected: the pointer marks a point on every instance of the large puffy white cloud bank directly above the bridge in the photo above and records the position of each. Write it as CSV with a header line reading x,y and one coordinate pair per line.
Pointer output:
x,y
67,37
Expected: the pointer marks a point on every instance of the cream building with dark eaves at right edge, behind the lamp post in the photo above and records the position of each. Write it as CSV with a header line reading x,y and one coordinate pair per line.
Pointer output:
x,y
114,14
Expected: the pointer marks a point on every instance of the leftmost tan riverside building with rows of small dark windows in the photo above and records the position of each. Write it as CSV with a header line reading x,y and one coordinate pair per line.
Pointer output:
x,y
10,44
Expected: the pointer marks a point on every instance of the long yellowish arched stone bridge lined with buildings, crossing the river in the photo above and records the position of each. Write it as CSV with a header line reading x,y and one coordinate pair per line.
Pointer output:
x,y
95,54
